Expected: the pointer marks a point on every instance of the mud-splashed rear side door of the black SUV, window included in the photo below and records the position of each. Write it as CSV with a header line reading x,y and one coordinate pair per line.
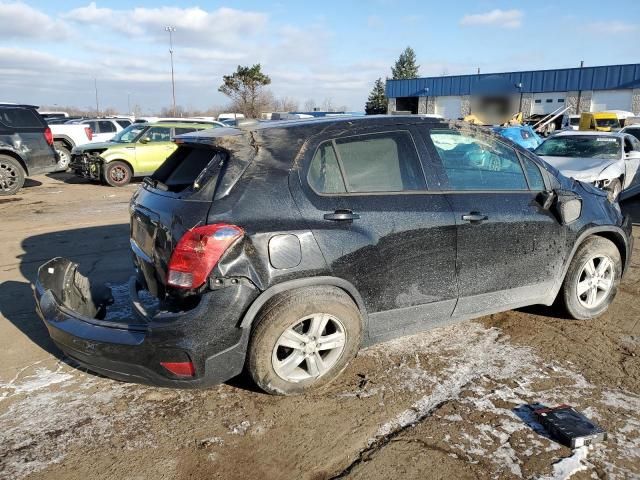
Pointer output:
x,y
366,200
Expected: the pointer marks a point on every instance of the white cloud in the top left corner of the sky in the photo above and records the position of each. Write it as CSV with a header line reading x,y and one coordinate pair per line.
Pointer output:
x,y
19,20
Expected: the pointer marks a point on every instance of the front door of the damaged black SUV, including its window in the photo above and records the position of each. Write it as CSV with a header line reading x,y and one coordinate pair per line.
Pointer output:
x,y
509,248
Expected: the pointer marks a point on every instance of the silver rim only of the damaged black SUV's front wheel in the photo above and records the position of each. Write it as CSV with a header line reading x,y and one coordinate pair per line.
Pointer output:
x,y
595,281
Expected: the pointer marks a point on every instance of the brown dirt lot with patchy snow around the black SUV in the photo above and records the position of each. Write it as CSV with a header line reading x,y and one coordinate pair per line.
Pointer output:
x,y
446,404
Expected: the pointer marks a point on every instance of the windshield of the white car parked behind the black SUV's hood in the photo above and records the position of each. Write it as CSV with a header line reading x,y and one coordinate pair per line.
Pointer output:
x,y
581,146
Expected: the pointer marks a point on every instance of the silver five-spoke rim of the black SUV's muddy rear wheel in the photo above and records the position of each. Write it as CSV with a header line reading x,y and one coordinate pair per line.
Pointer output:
x,y
309,348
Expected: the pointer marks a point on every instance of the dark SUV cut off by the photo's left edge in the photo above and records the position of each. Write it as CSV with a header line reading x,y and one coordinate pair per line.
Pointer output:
x,y
26,146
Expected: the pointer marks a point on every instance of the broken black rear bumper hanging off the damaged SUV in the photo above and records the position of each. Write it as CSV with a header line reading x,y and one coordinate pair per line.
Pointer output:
x,y
132,349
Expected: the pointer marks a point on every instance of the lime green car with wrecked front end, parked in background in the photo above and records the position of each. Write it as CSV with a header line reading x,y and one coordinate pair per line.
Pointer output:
x,y
136,151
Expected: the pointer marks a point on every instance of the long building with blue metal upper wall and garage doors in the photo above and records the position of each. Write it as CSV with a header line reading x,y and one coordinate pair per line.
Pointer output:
x,y
581,89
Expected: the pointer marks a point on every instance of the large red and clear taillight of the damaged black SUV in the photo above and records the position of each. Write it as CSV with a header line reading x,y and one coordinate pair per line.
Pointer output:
x,y
198,251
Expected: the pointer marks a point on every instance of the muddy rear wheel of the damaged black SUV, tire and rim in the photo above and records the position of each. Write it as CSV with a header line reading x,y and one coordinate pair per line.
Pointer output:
x,y
303,339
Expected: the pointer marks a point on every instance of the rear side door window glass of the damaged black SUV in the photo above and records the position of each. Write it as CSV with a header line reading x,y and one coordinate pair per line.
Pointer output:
x,y
378,162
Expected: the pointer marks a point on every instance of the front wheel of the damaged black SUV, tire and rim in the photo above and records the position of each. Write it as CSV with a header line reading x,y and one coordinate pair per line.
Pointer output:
x,y
592,280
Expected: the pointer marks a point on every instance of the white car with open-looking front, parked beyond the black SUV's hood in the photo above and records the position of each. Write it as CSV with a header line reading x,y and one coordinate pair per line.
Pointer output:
x,y
608,160
